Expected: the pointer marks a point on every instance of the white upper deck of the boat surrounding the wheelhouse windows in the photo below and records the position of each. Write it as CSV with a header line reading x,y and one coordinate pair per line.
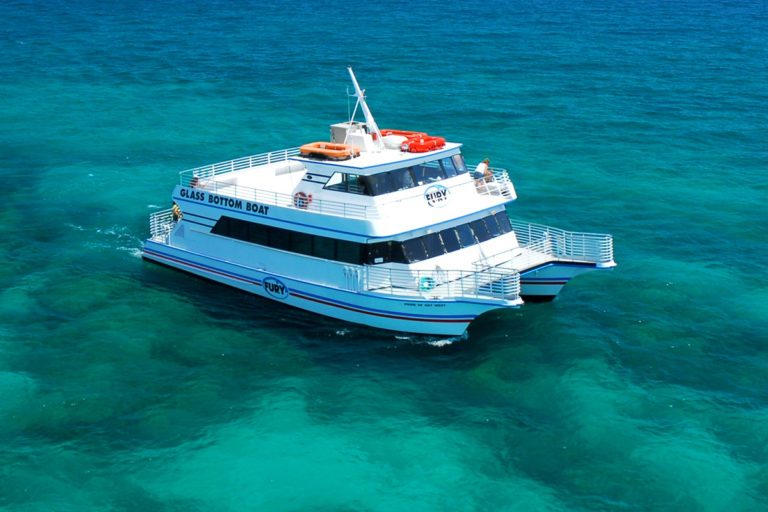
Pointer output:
x,y
276,178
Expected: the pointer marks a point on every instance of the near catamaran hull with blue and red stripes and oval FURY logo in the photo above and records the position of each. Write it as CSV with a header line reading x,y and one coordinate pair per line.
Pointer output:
x,y
449,317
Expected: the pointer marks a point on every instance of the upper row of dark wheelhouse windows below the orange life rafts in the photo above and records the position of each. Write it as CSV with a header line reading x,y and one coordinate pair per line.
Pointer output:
x,y
399,179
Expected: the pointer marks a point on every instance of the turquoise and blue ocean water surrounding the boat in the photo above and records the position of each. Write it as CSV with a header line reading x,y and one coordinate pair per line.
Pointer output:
x,y
129,386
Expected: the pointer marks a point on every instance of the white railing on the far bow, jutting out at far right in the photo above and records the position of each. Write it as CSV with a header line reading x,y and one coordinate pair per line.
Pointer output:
x,y
554,243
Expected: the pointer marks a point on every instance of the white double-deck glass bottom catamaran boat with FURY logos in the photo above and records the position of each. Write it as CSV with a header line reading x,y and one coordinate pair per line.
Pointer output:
x,y
385,228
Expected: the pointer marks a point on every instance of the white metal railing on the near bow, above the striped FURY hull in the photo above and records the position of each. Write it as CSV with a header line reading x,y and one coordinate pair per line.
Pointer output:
x,y
430,284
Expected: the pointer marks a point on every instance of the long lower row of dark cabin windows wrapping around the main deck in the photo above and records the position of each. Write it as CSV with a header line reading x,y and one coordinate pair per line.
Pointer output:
x,y
408,251
